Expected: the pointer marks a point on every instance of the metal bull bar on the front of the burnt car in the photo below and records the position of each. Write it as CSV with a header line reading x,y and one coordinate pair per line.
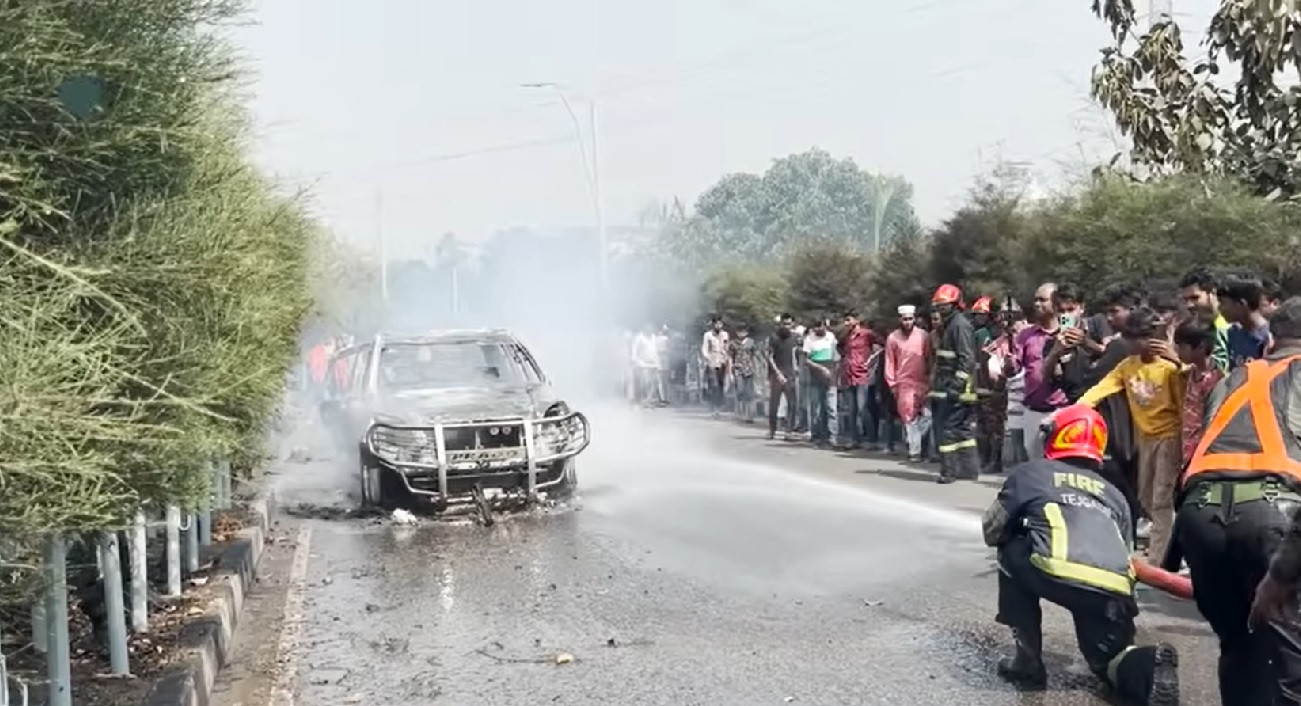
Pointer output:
x,y
425,447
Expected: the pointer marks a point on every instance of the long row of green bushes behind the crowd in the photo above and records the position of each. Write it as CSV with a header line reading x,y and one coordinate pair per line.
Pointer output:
x,y
1107,231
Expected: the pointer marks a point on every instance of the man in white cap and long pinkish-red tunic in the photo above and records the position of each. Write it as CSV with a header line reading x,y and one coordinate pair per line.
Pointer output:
x,y
907,352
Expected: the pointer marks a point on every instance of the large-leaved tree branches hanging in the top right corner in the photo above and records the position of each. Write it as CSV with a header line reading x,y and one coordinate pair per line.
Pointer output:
x,y
1177,115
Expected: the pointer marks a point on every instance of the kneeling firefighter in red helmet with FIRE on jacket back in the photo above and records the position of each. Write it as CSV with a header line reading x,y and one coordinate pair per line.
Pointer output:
x,y
1064,535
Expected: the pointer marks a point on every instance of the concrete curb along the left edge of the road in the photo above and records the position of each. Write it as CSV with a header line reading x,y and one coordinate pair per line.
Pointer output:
x,y
208,639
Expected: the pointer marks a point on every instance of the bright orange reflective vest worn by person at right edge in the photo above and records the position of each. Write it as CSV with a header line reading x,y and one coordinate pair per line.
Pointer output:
x,y
1250,439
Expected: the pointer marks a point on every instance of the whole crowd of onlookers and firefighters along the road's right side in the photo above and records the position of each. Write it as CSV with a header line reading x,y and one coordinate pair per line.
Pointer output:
x,y
1170,413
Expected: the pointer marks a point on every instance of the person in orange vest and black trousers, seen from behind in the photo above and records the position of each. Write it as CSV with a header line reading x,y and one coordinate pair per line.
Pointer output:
x,y
1238,505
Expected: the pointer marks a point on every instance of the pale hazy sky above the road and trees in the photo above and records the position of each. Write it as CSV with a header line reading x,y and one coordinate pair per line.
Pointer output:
x,y
421,99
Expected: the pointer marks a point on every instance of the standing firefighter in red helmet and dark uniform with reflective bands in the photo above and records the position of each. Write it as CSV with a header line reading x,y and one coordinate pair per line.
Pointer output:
x,y
954,388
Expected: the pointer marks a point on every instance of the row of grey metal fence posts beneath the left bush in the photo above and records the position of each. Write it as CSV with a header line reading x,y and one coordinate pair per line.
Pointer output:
x,y
187,535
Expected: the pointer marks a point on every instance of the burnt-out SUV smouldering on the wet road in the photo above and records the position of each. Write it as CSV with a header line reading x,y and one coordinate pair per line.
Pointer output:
x,y
442,418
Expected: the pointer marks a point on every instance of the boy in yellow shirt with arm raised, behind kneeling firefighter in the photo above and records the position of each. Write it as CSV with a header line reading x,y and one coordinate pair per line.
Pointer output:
x,y
1153,384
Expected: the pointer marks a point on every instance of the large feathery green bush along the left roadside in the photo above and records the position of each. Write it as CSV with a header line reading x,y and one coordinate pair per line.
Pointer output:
x,y
152,283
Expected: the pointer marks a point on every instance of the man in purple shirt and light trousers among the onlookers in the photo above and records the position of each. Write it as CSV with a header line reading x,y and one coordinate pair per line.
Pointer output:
x,y
1043,396
